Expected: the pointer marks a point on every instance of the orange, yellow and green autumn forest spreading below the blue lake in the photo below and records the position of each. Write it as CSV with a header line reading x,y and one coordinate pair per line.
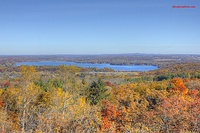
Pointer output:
x,y
69,99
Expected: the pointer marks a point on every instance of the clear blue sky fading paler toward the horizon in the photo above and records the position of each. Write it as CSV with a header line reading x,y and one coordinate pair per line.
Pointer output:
x,y
48,27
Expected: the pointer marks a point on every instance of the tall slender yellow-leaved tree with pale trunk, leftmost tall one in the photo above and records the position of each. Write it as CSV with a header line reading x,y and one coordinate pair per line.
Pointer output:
x,y
27,95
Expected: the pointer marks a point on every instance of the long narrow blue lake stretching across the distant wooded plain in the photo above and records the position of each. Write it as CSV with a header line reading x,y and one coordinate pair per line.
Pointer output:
x,y
89,65
